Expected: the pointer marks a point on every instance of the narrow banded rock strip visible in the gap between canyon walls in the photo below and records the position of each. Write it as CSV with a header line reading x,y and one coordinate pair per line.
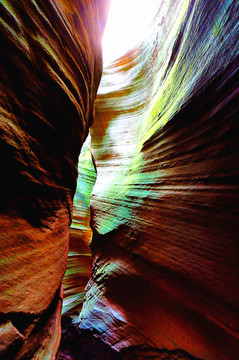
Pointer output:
x,y
79,256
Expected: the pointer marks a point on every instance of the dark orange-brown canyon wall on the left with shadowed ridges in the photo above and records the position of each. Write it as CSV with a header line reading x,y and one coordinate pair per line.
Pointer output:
x,y
50,68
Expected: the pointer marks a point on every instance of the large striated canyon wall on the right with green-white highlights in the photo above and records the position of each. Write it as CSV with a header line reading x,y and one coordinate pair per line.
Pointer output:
x,y
165,203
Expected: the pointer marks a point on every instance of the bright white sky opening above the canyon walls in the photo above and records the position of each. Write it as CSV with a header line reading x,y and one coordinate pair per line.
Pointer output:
x,y
127,21
